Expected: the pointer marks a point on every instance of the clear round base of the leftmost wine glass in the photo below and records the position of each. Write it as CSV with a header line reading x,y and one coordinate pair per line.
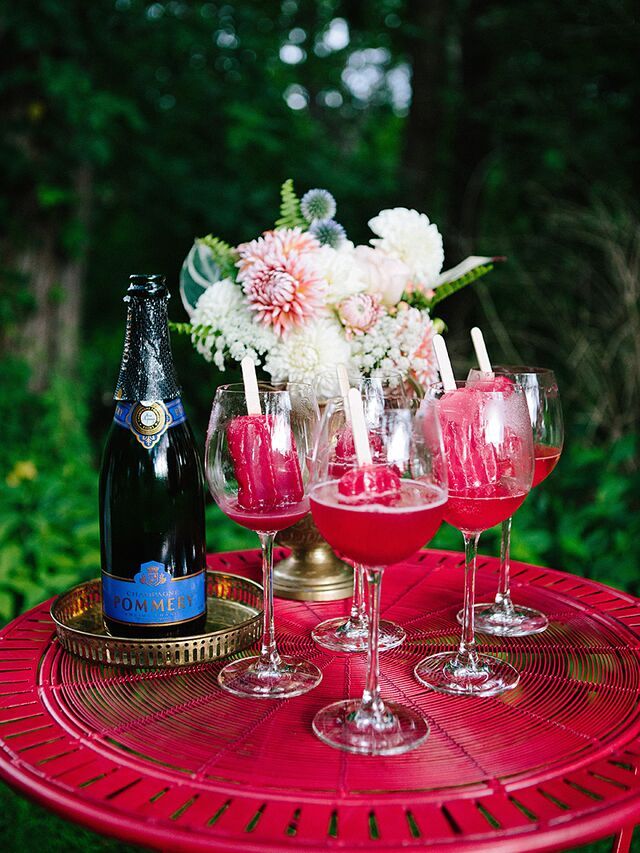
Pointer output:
x,y
248,677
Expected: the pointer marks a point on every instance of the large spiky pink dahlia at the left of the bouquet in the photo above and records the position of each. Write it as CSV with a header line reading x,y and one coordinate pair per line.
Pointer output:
x,y
279,278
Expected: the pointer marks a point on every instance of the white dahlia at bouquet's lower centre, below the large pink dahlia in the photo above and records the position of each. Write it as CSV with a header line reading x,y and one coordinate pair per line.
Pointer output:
x,y
309,353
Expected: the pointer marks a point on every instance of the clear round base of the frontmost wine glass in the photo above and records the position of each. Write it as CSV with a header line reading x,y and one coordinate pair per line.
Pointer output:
x,y
338,725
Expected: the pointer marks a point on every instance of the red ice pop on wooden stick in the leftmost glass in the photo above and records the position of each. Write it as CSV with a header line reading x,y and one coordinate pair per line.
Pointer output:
x,y
263,451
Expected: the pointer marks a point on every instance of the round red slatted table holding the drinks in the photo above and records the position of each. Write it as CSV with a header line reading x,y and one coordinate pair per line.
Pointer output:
x,y
166,759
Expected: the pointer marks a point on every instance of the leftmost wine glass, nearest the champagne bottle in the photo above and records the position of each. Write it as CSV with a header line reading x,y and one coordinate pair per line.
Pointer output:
x,y
257,471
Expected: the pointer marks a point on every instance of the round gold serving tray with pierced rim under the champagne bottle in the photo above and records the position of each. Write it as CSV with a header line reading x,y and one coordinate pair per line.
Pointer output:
x,y
234,622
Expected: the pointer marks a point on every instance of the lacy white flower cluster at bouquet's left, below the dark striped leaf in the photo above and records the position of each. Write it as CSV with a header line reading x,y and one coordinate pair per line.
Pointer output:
x,y
234,332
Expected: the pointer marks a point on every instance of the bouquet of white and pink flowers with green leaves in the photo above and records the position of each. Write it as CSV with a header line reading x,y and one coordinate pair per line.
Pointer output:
x,y
302,298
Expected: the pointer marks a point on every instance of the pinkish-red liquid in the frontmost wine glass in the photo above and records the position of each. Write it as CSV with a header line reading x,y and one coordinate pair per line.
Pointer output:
x,y
377,535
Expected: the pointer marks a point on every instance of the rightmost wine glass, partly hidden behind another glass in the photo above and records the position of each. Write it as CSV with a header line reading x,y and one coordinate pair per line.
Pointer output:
x,y
502,617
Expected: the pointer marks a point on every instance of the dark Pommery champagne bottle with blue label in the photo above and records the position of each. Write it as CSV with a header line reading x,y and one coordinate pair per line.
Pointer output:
x,y
152,539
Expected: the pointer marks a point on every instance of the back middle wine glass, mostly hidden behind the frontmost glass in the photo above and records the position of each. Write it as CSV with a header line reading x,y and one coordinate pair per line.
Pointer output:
x,y
381,389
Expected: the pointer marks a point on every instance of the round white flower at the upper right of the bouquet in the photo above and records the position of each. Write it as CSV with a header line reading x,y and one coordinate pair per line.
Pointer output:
x,y
409,236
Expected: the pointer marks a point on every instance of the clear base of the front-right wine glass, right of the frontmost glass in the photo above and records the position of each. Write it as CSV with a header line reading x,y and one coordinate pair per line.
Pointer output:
x,y
445,673
